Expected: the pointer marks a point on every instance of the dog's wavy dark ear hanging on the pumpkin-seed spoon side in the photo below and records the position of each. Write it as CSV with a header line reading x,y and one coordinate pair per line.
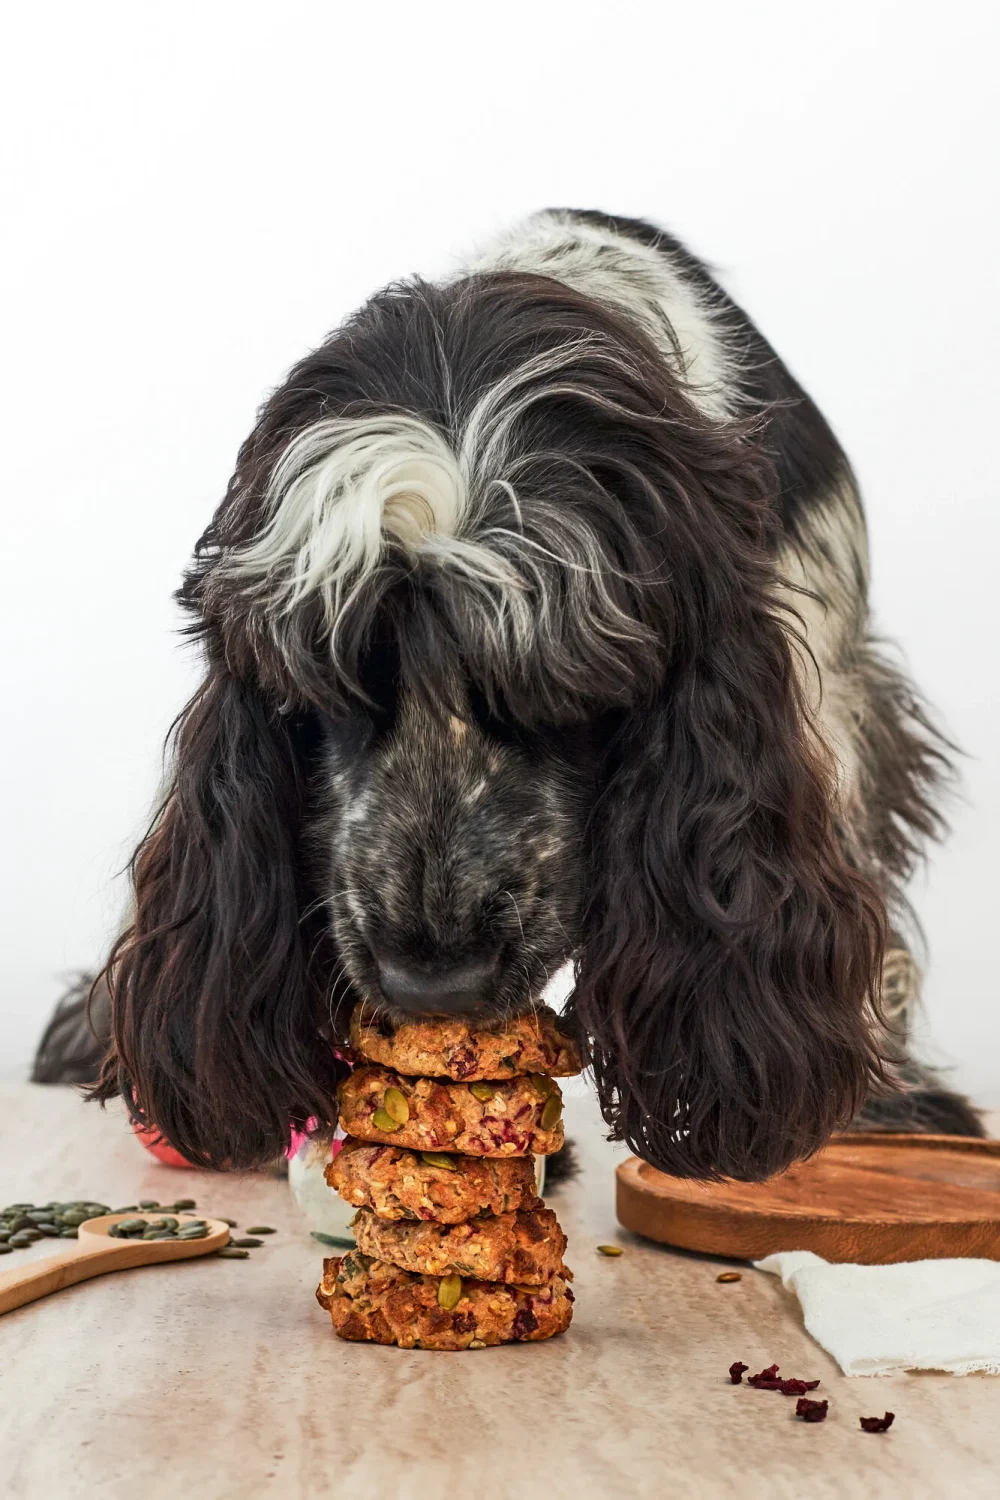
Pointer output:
x,y
215,991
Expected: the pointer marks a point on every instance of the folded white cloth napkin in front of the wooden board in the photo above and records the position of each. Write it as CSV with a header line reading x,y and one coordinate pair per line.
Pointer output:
x,y
920,1315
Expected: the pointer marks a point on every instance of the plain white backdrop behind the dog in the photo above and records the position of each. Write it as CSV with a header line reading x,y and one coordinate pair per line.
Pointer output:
x,y
196,194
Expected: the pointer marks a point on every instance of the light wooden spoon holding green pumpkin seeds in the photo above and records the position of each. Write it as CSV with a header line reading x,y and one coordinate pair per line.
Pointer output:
x,y
95,1252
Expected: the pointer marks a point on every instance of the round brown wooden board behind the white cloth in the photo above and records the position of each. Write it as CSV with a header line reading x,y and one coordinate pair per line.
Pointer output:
x,y
870,1199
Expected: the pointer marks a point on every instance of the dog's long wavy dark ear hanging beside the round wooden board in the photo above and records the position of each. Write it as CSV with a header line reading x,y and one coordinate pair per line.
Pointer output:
x,y
729,946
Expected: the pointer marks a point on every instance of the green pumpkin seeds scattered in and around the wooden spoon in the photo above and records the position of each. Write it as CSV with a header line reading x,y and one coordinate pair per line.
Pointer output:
x,y
22,1225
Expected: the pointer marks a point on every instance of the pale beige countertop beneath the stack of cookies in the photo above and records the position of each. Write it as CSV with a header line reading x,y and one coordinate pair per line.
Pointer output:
x,y
221,1379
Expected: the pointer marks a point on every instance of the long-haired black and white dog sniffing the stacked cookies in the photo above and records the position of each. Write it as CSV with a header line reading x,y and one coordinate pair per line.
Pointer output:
x,y
536,629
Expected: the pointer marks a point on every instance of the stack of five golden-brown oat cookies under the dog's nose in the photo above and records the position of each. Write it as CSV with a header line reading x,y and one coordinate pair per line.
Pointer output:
x,y
455,1247
